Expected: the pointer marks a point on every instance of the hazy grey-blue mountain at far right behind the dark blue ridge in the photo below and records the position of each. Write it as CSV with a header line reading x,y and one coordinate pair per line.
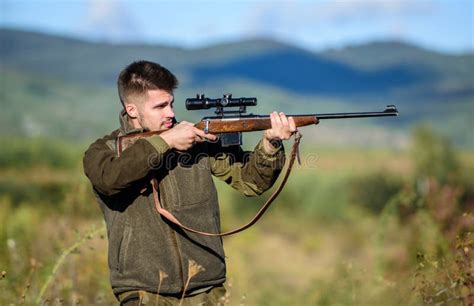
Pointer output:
x,y
444,76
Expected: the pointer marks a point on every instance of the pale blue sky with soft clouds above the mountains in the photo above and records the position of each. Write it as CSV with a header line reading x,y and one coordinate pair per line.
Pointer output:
x,y
441,25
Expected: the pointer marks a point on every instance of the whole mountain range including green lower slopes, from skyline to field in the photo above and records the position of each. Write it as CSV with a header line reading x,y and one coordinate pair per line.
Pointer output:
x,y
74,80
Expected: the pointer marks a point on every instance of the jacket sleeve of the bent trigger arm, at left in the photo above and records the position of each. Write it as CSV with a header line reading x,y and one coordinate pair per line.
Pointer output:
x,y
110,174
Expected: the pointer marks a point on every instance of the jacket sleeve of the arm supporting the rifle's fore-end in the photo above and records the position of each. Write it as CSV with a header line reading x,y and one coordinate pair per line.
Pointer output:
x,y
251,173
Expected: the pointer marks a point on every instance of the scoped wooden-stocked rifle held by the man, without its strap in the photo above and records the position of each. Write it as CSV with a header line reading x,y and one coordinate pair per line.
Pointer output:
x,y
229,124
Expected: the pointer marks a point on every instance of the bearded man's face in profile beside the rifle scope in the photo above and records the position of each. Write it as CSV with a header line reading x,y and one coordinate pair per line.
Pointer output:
x,y
156,113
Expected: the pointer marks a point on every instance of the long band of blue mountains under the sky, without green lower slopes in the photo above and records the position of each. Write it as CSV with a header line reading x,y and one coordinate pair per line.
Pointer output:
x,y
377,68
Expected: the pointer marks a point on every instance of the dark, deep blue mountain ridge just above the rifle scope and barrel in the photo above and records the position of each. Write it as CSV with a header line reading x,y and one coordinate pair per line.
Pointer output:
x,y
306,73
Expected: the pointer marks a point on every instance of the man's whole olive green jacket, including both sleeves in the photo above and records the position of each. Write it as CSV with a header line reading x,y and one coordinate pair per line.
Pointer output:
x,y
141,243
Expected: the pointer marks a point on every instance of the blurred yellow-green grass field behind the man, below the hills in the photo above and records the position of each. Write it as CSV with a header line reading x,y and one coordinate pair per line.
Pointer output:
x,y
315,246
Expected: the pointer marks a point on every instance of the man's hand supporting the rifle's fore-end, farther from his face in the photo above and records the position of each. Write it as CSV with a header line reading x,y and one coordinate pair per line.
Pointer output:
x,y
282,129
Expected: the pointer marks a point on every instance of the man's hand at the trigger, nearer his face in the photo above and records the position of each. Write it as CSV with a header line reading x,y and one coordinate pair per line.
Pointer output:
x,y
184,135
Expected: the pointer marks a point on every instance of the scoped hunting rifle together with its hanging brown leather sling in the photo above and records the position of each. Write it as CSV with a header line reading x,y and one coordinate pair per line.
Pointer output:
x,y
229,124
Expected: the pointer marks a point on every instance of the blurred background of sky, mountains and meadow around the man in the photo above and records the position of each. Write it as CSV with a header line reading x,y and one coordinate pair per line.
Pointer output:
x,y
378,213
